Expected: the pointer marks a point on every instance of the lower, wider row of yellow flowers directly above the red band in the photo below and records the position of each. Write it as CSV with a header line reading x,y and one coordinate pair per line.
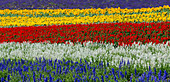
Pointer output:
x,y
31,21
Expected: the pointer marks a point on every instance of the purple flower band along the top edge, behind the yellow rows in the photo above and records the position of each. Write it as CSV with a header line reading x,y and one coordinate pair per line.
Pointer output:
x,y
81,4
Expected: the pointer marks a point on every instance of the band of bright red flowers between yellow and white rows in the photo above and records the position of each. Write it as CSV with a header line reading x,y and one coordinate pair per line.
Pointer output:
x,y
112,32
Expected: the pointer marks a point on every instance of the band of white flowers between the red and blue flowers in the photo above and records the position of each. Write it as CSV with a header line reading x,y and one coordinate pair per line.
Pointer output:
x,y
142,55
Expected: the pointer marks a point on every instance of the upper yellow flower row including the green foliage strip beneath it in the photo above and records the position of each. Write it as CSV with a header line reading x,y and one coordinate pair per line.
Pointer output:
x,y
81,12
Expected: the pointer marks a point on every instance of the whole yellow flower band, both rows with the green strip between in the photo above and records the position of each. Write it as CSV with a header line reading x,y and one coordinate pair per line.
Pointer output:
x,y
82,16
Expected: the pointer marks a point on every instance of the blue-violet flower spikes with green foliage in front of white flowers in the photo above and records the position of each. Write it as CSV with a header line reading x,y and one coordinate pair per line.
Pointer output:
x,y
78,71
